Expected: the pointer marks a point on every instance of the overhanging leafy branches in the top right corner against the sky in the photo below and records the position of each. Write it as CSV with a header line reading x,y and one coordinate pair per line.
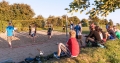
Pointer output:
x,y
99,7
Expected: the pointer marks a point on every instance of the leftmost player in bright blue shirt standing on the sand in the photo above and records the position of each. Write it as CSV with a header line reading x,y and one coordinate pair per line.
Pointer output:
x,y
9,33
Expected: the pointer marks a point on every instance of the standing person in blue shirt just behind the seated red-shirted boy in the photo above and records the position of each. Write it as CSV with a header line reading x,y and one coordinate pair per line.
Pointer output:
x,y
78,29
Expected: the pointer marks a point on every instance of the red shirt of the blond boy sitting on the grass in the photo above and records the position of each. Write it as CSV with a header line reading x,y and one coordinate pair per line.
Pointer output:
x,y
73,46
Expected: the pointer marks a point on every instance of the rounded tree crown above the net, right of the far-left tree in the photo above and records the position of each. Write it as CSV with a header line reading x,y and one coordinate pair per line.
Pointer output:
x,y
22,12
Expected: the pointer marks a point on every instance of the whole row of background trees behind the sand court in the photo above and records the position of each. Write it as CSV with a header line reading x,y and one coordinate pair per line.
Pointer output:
x,y
22,15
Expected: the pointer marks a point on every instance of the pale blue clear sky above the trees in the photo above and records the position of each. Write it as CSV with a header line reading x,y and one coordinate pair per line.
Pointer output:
x,y
56,8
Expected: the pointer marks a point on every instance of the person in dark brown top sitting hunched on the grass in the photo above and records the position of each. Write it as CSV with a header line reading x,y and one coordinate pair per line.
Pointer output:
x,y
95,37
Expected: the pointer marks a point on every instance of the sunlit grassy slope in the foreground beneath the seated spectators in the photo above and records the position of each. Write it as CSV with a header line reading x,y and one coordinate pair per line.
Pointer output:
x,y
110,54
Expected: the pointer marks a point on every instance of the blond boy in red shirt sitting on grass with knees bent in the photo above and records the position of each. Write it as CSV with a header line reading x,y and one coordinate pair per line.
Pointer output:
x,y
71,49
